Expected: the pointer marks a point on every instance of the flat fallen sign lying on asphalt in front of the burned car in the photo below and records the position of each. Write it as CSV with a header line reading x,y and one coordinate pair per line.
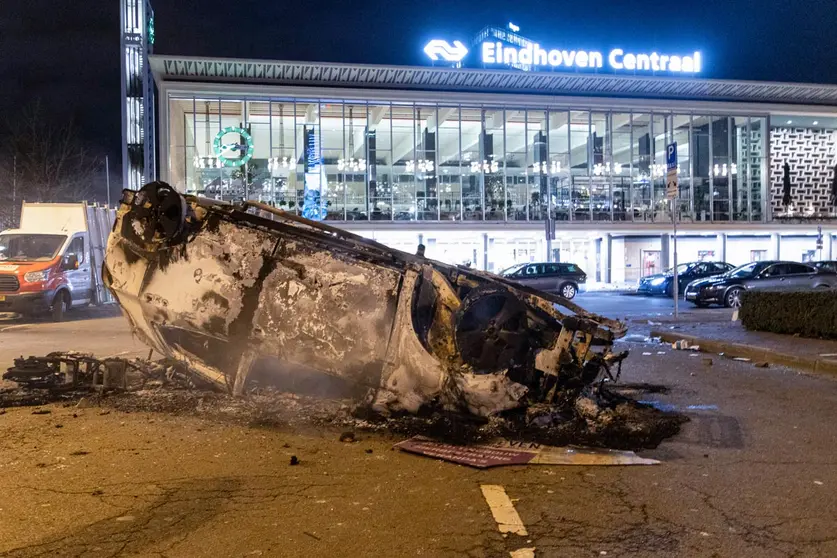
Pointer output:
x,y
505,452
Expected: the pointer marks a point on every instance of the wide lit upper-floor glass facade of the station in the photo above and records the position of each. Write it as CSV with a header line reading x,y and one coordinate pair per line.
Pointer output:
x,y
445,162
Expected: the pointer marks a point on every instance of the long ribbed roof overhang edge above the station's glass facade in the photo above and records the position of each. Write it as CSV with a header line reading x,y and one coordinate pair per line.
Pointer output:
x,y
273,72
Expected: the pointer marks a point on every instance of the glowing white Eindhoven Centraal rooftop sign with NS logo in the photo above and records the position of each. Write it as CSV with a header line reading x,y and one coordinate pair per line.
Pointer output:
x,y
516,52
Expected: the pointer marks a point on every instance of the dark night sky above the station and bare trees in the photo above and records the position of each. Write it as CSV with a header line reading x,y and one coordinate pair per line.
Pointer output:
x,y
67,53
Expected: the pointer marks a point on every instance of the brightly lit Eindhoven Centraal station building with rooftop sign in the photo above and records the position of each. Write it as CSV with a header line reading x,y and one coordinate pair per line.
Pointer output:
x,y
502,150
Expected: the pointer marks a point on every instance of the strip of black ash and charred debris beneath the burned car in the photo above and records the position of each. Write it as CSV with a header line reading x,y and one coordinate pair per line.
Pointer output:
x,y
605,417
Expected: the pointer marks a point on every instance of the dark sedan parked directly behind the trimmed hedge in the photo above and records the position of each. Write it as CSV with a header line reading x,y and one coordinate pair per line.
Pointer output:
x,y
726,289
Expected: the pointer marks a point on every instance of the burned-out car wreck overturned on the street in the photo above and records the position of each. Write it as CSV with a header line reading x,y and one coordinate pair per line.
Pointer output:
x,y
236,291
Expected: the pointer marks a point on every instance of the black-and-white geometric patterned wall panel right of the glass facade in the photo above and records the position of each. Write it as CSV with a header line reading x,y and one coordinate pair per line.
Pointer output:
x,y
811,155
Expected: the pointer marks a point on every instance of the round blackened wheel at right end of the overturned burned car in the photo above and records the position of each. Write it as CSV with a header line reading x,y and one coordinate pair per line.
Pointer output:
x,y
491,330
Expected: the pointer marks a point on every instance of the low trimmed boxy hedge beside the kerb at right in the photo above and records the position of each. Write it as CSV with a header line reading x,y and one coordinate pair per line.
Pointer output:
x,y
806,313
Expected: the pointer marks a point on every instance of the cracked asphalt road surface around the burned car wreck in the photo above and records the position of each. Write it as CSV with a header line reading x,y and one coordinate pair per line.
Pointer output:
x,y
752,474
